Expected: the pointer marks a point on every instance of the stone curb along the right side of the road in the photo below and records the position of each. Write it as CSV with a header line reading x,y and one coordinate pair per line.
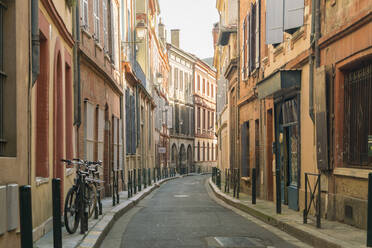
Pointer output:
x,y
298,233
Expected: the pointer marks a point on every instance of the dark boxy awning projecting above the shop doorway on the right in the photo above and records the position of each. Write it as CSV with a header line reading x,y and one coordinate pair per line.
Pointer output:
x,y
278,83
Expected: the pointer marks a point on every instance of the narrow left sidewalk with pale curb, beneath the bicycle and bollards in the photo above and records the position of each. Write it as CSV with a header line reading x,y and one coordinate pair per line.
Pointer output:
x,y
100,227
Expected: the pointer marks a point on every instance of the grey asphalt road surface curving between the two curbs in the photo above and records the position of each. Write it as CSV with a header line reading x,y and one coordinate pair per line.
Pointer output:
x,y
182,213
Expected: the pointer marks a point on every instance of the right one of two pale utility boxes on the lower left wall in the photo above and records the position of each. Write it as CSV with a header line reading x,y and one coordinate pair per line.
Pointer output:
x,y
12,196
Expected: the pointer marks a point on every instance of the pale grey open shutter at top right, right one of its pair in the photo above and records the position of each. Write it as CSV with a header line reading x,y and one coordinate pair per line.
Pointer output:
x,y
293,14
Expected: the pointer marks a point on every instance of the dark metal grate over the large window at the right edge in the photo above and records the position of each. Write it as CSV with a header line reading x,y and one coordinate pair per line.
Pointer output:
x,y
358,115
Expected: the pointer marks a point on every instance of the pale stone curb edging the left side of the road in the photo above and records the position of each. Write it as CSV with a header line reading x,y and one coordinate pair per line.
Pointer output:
x,y
96,235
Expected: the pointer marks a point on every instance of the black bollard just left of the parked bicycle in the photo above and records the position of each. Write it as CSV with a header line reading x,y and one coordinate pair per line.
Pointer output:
x,y
57,225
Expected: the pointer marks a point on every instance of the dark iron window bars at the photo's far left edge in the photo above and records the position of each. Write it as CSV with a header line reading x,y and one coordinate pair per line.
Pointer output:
x,y
2,79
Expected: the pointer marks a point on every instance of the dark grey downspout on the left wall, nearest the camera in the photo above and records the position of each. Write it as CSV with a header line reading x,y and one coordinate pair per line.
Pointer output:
x,y
35,70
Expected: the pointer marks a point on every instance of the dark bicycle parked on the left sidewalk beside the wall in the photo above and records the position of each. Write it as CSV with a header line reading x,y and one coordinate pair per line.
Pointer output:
x,y
83,192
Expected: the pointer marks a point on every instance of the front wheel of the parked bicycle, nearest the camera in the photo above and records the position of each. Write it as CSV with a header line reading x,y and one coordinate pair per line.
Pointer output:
x,y
71,211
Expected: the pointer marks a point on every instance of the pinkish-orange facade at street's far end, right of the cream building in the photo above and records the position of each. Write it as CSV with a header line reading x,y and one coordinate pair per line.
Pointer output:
x,y
205,90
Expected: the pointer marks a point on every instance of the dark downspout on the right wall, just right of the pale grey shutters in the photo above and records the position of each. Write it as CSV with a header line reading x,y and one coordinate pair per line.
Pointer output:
x,y
311,62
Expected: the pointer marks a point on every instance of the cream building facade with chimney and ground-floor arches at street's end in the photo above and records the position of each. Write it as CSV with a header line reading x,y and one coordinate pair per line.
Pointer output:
x,y
181,101
